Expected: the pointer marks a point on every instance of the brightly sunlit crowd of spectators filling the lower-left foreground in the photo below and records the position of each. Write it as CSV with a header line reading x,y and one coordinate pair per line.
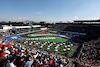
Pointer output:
x,y
13,53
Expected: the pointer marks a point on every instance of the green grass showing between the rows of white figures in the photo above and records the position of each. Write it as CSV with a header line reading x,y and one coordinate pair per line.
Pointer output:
x,y
60,49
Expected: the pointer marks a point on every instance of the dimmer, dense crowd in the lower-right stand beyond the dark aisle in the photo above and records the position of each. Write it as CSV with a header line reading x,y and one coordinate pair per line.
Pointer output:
x,y
91,53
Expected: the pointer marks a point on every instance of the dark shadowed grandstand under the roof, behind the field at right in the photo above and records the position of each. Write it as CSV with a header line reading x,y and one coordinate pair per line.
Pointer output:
x,y
83,31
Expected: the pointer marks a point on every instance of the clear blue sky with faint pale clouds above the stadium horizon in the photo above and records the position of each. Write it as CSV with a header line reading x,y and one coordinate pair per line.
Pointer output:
x,y
49,10
